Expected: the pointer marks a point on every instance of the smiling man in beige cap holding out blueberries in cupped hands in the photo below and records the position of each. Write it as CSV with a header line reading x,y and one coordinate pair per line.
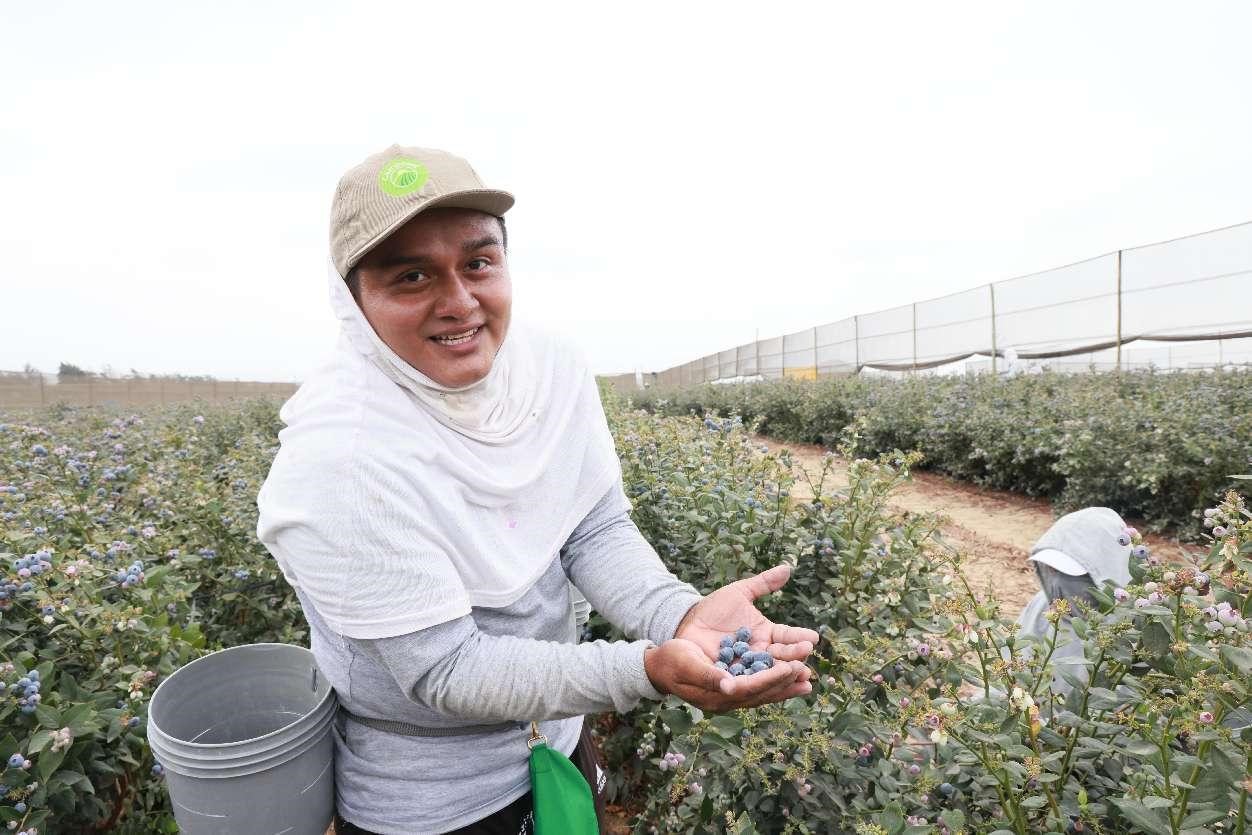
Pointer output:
x,y
441,481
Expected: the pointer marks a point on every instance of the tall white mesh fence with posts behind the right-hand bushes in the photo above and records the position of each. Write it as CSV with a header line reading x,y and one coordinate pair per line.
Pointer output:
x,y
1184,304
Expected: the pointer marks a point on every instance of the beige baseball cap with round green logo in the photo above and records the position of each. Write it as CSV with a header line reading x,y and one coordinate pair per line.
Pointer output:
x,y
385,192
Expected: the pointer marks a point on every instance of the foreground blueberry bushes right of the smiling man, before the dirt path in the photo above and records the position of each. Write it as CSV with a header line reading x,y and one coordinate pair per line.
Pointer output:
x,y
931,714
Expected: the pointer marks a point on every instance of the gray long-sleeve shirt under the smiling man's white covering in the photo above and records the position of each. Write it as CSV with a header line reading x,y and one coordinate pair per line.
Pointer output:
x,y
515,664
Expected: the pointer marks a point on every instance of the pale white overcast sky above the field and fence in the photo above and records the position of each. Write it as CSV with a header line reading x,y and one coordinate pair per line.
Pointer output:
x,y
688,175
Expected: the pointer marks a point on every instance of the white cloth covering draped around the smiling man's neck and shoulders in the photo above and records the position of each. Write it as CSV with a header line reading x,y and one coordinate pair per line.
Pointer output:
x,y
398,504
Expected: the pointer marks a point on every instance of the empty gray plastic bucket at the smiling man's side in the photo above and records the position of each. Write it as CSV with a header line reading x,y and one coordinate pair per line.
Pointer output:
x,y
245,738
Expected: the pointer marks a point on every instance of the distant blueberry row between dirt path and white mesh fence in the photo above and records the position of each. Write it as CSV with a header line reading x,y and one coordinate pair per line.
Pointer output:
x,y
1151,445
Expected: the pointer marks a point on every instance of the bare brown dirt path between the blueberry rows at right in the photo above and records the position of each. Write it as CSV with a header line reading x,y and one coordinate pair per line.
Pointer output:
x,y
993,529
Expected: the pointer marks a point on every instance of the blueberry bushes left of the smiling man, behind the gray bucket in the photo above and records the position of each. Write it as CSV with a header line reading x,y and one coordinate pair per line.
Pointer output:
x,y
128,550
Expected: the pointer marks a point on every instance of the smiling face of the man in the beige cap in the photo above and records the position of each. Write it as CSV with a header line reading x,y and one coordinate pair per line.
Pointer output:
x,y
438,292
